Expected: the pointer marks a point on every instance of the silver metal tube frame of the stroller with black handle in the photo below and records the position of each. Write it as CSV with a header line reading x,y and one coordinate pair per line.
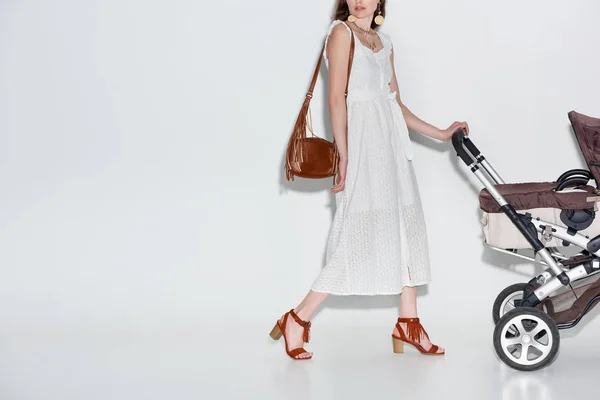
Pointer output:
x,y
561,272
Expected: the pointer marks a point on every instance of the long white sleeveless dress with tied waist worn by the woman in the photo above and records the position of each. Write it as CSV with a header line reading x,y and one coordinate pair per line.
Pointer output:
x,y
378,239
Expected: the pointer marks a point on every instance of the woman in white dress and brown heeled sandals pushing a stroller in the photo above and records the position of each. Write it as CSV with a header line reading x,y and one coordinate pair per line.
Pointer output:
x,y
378,242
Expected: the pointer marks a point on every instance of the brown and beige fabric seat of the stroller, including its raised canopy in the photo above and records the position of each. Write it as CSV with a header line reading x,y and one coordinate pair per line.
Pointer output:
x,y
570,201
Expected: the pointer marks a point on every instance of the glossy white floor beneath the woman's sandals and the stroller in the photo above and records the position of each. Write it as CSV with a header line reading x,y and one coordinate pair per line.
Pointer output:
x,y
215,361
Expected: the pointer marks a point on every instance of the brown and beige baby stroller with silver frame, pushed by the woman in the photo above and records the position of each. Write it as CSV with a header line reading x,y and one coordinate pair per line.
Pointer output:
x,y
553,224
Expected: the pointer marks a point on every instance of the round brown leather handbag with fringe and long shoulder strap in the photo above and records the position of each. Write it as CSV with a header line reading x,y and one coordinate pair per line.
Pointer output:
x,y
313,157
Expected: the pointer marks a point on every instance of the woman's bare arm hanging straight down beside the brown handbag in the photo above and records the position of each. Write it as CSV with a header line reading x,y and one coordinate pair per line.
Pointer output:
x,y
338,49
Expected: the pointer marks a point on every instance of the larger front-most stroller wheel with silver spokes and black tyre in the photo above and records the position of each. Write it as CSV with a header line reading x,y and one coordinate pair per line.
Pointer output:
x,y
526,339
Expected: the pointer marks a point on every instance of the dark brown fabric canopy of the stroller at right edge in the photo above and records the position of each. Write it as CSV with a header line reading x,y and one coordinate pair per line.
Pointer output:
x,y
587,132
